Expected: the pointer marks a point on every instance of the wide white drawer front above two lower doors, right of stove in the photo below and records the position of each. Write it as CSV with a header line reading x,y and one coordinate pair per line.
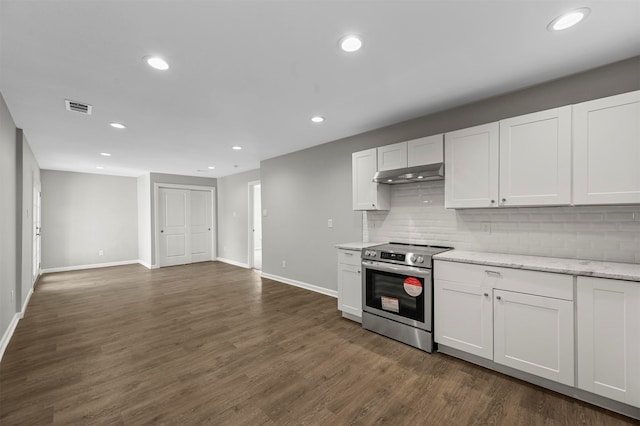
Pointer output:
x,y
559,286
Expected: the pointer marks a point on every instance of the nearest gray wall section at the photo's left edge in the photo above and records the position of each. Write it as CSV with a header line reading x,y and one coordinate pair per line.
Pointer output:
x,y
8,233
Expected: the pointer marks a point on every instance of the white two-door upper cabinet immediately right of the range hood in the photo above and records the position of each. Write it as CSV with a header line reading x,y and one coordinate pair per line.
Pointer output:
x,y
521,161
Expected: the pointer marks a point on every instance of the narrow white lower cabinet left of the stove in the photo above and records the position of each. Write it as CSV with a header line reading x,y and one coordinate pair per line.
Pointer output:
x,y
349,283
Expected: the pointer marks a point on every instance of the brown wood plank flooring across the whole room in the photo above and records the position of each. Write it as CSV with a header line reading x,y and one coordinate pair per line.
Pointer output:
x,y
212,343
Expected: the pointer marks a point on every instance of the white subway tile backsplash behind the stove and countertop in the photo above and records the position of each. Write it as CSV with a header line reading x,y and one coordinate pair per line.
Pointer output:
x,y
418,216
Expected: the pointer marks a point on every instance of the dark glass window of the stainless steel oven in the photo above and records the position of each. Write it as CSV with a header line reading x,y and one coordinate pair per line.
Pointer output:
x,y
385,291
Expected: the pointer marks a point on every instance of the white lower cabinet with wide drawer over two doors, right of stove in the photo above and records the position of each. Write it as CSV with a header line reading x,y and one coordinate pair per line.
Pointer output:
x,y
519,318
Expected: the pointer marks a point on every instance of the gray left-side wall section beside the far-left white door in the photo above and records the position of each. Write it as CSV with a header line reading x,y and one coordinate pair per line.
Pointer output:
x,y
28,182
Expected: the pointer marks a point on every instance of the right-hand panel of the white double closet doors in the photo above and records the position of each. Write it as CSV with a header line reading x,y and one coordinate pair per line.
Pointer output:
x,y
200,228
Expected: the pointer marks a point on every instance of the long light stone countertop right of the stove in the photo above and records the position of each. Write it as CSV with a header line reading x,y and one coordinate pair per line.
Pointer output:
x,y
587,268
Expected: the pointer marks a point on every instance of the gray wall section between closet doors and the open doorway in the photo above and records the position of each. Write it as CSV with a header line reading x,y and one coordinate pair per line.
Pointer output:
x,y
233,216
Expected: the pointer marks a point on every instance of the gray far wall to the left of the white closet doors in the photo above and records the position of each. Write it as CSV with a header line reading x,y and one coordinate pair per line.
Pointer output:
x,y
84,213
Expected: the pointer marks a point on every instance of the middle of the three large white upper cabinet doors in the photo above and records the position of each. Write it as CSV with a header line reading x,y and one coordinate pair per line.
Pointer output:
x,y
535,159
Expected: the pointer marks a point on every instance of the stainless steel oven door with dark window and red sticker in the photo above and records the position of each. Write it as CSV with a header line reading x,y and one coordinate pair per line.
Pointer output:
x,y
401,293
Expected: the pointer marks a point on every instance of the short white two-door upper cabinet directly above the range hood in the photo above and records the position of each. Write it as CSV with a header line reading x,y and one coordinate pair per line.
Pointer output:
x,y
416,152
